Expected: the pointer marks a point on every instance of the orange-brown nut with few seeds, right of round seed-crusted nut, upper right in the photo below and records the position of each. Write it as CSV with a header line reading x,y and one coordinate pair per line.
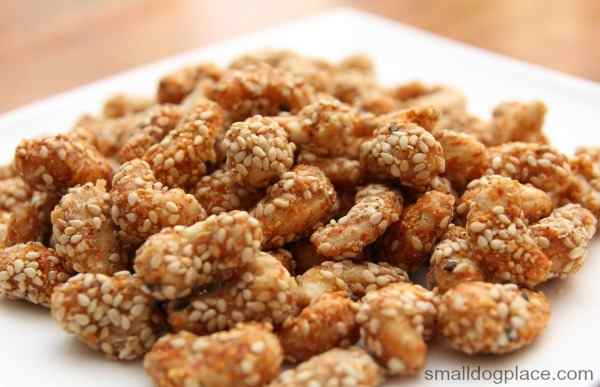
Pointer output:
x,y
466,157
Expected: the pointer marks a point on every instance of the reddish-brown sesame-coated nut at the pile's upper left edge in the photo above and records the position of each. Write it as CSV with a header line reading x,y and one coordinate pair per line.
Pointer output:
x,y
57,163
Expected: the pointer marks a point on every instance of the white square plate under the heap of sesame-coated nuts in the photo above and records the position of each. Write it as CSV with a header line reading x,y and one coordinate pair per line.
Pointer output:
x,y
36,352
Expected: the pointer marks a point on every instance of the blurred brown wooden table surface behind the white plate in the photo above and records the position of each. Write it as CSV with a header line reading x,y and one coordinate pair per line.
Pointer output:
x,y
51,46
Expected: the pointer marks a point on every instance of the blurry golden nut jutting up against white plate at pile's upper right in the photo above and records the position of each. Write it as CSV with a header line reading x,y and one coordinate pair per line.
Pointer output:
x,y
516,121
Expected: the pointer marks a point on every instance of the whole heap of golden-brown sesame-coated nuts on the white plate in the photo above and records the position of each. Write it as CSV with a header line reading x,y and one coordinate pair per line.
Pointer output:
x,y
274,212
